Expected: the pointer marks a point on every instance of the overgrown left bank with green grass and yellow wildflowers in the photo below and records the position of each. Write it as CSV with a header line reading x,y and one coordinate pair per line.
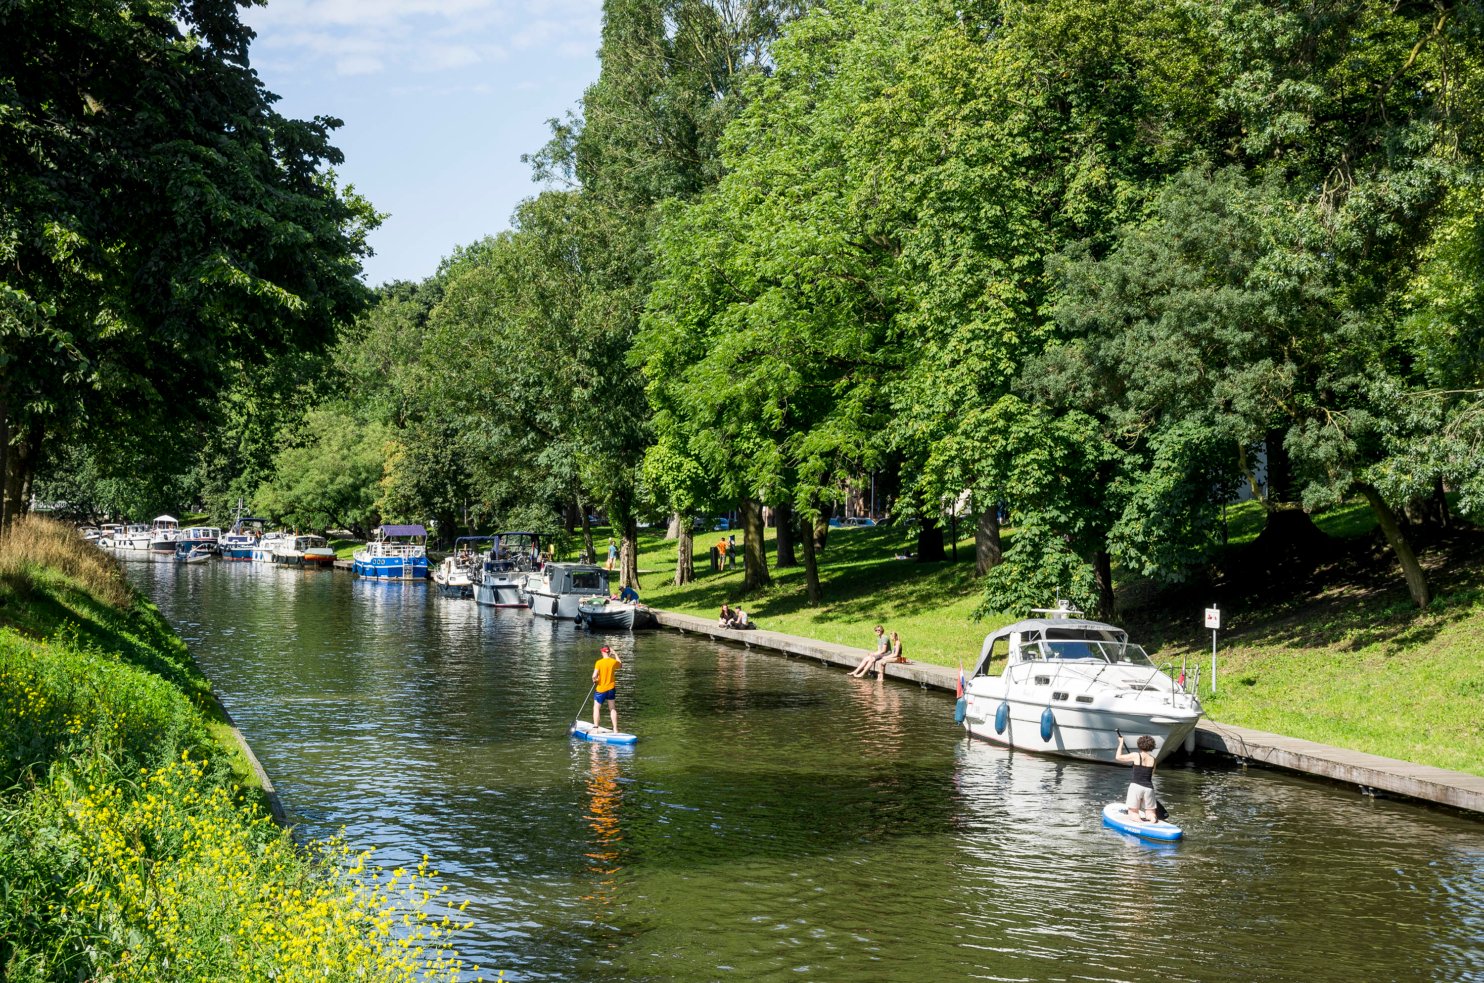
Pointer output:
x,y
131,846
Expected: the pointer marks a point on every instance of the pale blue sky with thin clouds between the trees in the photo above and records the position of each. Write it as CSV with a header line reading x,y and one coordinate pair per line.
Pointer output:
x,y
440,100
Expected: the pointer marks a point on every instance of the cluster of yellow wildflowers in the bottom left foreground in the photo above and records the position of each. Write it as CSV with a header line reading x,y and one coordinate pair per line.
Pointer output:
x,y
183,883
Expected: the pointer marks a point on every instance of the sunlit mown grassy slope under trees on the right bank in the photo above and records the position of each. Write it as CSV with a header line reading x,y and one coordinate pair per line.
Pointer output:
x,y
1345,662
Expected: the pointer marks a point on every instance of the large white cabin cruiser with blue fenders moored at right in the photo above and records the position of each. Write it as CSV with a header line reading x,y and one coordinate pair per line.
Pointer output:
x,y
1069,687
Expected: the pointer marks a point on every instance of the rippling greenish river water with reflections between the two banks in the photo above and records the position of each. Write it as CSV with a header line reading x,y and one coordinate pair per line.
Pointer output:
x,y
783,822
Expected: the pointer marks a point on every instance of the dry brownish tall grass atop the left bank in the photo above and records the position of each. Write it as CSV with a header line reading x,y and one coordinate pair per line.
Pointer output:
x,y
32,547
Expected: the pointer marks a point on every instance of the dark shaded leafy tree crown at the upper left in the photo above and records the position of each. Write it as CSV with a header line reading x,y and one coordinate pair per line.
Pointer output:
x,y
160,221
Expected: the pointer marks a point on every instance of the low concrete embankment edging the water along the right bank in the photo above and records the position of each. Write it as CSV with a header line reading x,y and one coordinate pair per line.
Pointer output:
x,y
1370,773
